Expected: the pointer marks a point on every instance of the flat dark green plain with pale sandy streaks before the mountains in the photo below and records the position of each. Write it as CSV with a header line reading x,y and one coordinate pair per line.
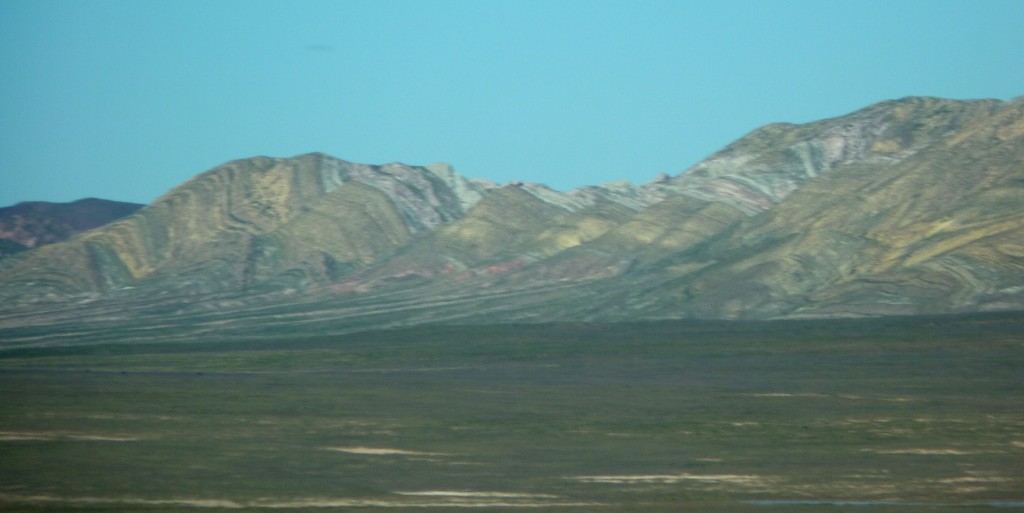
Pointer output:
x,y
900,414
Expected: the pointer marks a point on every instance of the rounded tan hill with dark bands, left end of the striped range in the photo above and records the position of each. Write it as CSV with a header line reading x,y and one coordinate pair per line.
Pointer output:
x,y
257,223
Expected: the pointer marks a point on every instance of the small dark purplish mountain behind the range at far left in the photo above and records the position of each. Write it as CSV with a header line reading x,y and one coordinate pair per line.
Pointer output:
x,y
31,225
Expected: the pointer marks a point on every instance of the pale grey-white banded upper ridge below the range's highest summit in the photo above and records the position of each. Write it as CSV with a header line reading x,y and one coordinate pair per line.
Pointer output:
x,y
763,168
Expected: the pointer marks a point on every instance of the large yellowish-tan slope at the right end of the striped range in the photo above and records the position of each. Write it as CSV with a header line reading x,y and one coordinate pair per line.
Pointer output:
x,y
940,231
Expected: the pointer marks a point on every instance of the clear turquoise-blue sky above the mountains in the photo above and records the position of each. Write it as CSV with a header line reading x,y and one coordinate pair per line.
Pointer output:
x,y
126,100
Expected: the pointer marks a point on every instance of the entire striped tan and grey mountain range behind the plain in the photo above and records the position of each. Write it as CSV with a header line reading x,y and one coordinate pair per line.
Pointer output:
x,y
911,206
